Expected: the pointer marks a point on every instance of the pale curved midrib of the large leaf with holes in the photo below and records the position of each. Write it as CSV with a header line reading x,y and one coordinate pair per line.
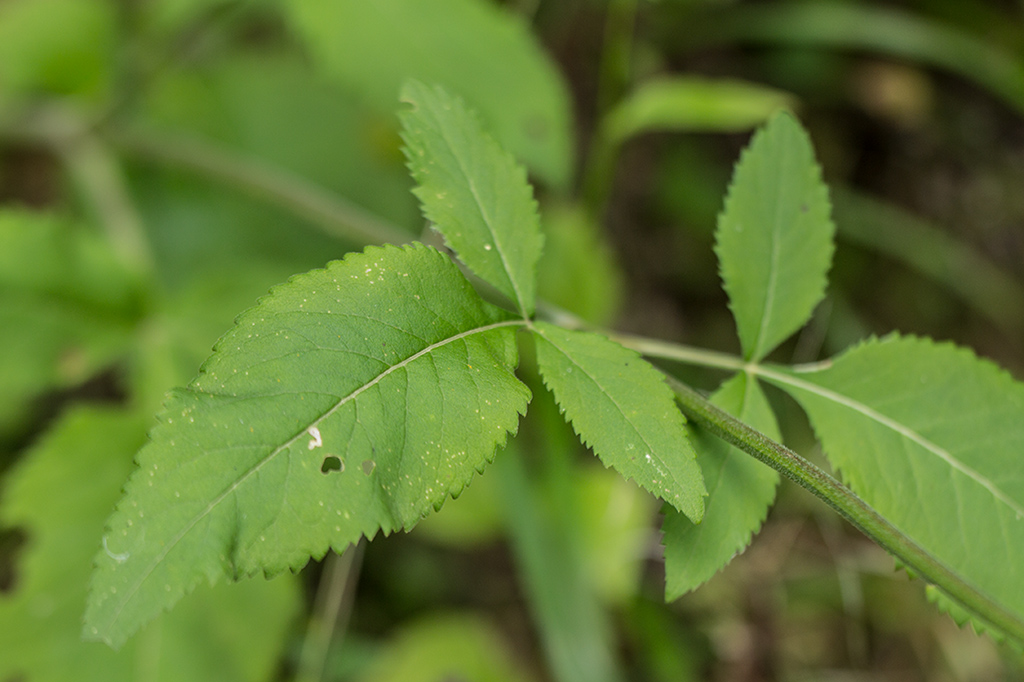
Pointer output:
x,y
130,595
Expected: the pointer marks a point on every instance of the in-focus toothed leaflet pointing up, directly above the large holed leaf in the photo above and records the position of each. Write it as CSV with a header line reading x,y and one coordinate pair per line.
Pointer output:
x,y
474,192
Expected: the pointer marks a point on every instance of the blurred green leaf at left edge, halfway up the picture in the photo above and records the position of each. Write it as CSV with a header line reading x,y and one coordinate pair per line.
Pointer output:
x,y
67,308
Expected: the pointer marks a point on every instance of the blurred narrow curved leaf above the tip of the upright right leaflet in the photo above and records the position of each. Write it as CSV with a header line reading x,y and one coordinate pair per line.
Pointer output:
x,y
690,103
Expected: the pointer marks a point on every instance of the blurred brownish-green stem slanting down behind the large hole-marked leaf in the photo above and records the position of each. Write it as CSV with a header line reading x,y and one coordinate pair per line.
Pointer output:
x,y
331,214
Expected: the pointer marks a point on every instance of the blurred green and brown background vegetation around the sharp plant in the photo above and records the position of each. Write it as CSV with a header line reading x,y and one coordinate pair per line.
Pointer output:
x,y
164,162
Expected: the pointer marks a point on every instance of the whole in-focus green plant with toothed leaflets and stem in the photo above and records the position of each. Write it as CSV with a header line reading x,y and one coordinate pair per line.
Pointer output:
x,y
357,399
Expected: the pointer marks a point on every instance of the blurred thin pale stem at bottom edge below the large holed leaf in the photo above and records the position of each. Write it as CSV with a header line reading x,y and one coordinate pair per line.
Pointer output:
x,y
332,608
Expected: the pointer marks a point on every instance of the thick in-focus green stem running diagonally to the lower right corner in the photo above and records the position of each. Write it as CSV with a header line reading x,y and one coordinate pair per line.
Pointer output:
x,y
851,507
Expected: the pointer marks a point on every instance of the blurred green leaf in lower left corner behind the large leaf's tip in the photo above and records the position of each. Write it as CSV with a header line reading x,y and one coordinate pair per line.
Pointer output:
x,y
60,495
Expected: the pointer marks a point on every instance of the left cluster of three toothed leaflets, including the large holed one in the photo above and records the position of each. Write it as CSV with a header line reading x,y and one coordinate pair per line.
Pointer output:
x,y
359,398
